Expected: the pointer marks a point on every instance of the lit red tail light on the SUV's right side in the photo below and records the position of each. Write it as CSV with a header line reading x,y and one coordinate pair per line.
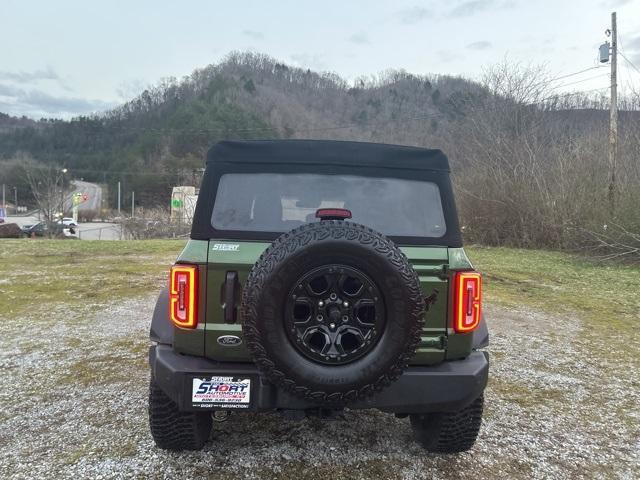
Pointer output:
x,y
467,302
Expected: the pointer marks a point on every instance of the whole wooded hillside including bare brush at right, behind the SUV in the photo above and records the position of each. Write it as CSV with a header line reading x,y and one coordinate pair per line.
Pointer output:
x,y
530,166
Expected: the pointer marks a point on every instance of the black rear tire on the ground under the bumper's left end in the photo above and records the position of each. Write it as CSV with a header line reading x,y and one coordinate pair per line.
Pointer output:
x,y
172,429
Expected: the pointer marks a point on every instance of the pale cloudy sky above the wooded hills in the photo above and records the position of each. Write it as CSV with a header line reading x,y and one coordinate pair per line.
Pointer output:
x,y
63,58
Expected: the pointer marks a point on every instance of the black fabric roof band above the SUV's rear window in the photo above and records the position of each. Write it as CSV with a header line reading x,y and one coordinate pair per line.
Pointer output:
x,y
328,152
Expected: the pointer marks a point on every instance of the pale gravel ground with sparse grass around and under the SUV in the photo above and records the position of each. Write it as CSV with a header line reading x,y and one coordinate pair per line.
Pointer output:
x,y
73,405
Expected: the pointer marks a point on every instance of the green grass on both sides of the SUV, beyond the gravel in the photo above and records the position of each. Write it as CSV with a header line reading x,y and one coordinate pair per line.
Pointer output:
x,y
49,271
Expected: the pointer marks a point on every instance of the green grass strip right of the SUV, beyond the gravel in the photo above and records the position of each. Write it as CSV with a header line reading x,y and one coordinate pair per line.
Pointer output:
x,y
561,283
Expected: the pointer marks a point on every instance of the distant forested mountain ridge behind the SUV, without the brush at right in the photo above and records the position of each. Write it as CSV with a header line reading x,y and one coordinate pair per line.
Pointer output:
x,y
157,139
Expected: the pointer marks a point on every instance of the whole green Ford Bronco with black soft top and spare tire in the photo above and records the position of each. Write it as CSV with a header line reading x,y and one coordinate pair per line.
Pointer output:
x,y
321,275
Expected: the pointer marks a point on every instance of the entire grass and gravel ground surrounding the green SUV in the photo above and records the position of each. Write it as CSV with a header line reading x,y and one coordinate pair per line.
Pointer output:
x,y
561,402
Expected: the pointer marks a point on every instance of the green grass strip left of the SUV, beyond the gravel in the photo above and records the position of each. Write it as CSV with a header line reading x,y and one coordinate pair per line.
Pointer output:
x,y
76,273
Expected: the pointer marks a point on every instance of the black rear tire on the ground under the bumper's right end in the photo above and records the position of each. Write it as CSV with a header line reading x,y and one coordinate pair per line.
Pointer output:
x,y
449,432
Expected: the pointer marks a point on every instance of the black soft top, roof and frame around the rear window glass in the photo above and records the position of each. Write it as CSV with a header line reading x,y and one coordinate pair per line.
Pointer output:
x,y
327,157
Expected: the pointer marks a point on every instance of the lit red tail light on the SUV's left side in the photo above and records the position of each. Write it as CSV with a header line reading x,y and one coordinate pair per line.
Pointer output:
x,y
183,296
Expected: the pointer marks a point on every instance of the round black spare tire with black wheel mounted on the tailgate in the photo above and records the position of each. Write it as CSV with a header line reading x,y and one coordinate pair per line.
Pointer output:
x,y
332,312
